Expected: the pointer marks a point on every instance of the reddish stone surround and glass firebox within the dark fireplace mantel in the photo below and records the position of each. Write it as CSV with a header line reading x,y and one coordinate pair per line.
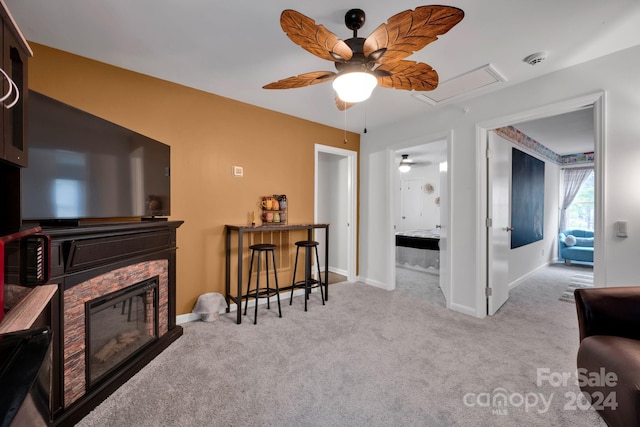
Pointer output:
x,y
127,287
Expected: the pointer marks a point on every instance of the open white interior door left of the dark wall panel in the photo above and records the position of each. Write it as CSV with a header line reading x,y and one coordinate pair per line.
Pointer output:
x,y
498,233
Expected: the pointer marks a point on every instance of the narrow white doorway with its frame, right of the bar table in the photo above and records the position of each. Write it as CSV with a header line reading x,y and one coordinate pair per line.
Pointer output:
x,y
335,196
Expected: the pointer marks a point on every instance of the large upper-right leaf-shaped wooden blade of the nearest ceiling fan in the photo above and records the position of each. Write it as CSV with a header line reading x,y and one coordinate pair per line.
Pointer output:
x,y
411,30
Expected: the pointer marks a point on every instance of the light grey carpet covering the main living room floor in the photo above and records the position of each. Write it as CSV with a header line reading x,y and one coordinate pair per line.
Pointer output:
x,y
368,358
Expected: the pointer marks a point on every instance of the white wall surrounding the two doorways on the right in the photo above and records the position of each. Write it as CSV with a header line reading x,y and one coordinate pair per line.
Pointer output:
x,y
617,74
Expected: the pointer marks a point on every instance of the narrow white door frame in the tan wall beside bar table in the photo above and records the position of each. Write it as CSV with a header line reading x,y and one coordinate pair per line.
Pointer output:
x,y
352,197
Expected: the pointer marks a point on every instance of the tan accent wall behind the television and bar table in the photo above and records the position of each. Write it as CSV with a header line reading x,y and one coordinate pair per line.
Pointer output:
x,y
208,135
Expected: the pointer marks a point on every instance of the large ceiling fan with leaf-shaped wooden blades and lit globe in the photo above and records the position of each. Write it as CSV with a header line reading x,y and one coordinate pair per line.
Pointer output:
x,y
377,60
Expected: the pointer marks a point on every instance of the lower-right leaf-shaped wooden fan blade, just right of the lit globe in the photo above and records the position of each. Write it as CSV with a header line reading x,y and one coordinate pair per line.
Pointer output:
x,y
407,75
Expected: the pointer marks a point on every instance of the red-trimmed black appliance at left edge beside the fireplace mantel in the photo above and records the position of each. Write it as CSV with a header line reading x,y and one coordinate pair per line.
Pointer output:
x,y
34,259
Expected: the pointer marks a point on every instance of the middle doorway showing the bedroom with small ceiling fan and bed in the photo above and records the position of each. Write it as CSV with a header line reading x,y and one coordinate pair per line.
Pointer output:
x,y
420,215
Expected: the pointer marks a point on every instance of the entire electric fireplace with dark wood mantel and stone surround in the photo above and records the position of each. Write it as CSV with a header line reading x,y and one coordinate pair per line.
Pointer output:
x,y
114,311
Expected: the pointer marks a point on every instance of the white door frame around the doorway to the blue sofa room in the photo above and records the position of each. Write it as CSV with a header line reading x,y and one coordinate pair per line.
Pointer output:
x,y
598,100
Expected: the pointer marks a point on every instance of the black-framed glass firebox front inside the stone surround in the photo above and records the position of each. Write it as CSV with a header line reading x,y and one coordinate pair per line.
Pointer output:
x,y
119,325
